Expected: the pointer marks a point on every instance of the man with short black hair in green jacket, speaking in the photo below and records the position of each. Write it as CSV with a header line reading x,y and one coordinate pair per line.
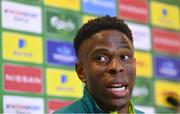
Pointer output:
x,y
106,65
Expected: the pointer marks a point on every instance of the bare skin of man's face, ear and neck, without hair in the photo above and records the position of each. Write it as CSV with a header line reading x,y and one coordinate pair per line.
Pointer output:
x,y
106,61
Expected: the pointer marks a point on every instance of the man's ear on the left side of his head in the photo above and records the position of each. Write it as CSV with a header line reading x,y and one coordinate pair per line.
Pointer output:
x,y
80,71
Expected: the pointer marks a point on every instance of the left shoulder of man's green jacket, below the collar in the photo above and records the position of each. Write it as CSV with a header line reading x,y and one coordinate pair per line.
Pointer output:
x,y
76,107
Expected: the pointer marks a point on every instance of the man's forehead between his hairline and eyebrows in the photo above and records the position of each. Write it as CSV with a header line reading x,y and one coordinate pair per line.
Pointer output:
x,y
110,39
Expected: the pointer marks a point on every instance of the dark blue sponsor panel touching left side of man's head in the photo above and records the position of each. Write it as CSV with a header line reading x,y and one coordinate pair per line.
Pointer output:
x,y
61,53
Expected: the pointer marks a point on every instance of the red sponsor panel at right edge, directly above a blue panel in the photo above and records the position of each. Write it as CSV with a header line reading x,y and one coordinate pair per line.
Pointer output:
x,y
166,41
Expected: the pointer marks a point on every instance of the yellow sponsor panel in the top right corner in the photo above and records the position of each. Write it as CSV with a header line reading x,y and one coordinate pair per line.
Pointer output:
x,y
165,15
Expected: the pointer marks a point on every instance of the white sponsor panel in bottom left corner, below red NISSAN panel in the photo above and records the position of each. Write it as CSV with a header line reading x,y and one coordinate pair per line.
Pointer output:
x,y
18,104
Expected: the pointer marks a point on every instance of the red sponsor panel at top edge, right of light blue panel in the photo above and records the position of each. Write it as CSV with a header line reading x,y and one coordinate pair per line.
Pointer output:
x,y
136,10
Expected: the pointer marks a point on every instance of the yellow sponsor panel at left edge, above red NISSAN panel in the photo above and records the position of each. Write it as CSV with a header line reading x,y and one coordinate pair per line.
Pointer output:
x,y
21,47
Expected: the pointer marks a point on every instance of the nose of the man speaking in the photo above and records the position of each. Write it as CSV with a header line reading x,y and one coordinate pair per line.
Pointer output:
x,y
115,66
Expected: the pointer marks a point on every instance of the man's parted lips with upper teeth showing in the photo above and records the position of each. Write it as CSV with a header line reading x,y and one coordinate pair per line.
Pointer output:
x,y
117,91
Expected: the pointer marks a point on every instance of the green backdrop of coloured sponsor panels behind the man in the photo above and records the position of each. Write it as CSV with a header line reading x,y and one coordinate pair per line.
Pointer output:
x,y
37,55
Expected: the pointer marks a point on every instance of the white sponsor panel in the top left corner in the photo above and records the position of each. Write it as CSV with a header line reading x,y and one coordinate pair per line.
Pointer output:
x,y
21,17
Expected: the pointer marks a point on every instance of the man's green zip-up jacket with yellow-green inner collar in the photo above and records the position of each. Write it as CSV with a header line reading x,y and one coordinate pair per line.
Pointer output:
x,y
88,105
